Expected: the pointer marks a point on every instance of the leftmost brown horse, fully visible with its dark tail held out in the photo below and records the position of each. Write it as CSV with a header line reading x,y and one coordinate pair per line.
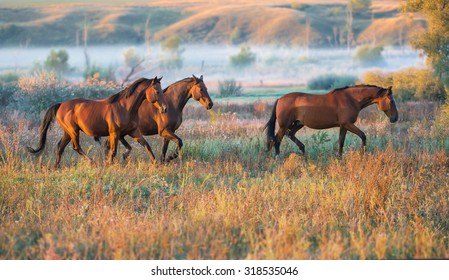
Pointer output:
x,y
114,116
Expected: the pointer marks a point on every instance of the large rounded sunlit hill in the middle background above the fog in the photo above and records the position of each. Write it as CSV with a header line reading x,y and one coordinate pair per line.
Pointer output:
x,y
256,24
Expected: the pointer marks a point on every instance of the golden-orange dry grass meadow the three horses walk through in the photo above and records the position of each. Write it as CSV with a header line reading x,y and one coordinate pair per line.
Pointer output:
x,y
227,199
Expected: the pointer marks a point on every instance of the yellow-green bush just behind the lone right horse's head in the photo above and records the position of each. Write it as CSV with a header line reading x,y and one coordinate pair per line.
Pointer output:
x,y
409,84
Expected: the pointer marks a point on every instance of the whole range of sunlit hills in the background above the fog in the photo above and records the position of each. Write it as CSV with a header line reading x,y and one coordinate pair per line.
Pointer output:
x,y
316,23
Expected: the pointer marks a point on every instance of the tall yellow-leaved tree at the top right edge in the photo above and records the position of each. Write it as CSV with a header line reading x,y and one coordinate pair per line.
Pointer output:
x,y
435,40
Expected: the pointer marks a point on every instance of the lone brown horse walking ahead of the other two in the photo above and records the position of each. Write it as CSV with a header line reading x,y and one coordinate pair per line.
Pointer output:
x,y
338,108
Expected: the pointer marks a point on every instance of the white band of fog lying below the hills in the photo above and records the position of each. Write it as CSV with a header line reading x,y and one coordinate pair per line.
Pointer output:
x,y
273,65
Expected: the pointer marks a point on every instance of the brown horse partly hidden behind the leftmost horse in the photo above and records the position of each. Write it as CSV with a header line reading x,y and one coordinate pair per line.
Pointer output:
x,y
151,122
